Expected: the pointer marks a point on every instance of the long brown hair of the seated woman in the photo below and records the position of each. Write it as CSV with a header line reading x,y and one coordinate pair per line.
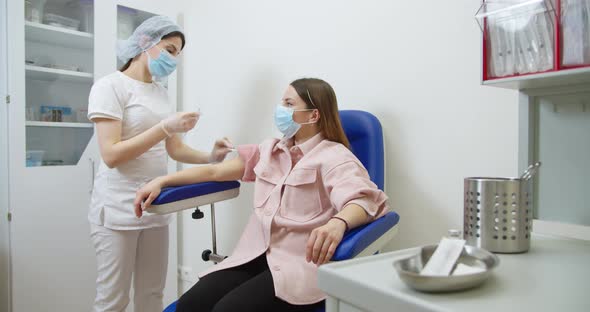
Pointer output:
x,y
318,94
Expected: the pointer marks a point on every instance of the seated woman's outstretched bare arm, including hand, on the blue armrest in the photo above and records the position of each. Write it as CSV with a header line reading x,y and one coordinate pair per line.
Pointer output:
x,y
226,171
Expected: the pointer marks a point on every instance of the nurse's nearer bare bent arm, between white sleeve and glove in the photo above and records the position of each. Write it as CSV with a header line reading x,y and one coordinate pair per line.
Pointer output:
x,y
115,151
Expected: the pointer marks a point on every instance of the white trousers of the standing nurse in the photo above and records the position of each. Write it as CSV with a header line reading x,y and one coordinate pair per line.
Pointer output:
x,y
120,255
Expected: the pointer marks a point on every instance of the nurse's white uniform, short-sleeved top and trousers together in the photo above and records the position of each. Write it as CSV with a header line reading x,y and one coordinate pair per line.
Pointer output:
x,y
125,245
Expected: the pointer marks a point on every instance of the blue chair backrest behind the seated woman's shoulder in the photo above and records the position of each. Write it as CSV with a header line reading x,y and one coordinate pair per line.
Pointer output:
x,y
364,132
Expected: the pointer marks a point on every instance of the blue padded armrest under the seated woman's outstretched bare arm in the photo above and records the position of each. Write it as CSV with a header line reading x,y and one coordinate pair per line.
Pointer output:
x,y
177,198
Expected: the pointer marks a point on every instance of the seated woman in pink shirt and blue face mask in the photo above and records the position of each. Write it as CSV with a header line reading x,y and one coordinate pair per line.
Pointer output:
x,y
310,189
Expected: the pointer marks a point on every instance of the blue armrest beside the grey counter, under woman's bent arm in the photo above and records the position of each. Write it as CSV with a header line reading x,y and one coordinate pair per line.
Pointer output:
x,y
357,239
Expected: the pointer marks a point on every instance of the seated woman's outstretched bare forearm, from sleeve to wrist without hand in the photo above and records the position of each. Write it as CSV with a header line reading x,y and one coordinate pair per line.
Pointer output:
x,y
225,171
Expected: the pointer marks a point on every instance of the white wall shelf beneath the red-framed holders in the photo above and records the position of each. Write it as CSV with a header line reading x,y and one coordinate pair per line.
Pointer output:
x,y
565,77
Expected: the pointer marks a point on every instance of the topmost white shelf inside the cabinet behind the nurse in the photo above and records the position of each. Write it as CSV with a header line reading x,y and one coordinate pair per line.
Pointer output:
x,y
58,36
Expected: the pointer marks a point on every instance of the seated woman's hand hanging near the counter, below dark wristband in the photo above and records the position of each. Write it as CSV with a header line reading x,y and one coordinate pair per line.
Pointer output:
x,y
323,241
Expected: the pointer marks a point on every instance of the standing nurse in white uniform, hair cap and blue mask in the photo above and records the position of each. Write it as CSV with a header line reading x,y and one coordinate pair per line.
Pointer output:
x,y
137,131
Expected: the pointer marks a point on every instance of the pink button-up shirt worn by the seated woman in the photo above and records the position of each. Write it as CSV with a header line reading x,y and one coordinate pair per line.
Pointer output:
x,y
298,188
